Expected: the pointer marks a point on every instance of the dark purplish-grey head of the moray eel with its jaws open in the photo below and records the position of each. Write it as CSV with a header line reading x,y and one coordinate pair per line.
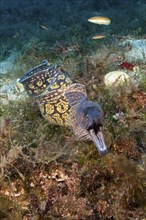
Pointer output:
x,y
89,116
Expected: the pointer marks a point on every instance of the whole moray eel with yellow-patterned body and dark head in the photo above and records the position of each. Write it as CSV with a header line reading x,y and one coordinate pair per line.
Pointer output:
x,y
65,103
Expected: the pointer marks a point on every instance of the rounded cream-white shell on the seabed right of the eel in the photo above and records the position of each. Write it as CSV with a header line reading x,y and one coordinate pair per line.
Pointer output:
x,y
116,78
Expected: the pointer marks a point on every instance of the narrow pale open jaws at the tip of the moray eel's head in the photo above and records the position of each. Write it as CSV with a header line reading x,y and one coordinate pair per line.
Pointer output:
x,y
99,142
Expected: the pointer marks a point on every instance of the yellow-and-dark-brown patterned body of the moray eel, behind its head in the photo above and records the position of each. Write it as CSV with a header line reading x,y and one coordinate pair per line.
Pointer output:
x,y
54,92
